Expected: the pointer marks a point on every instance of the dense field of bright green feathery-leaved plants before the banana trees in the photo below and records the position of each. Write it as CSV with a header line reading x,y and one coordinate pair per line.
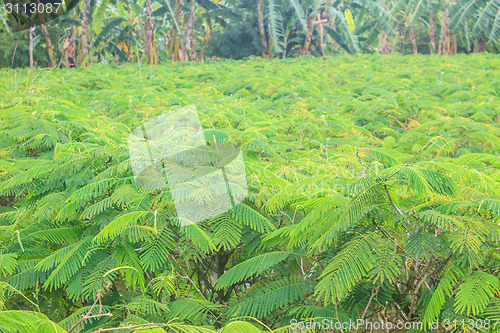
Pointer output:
x,y
374,193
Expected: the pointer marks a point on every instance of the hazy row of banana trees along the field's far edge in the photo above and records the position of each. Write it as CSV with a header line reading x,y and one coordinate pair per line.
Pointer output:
x,y
153,31
